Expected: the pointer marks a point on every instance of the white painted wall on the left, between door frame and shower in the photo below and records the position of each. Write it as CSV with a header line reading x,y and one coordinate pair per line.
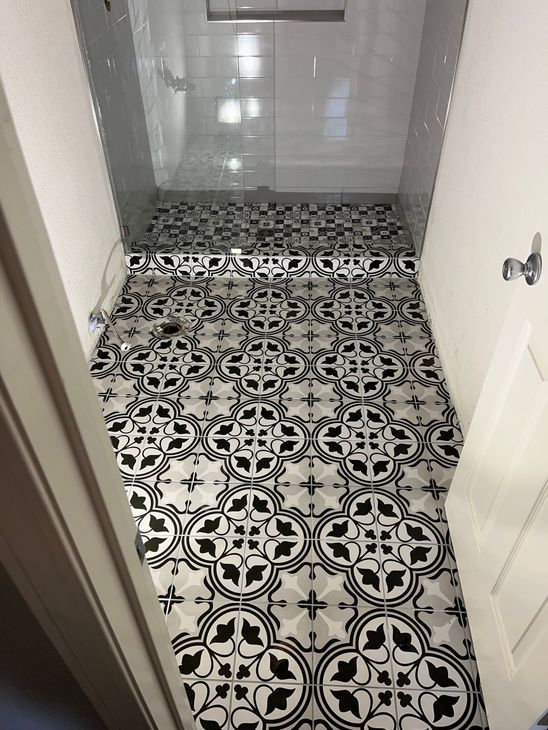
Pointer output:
x,y
44,80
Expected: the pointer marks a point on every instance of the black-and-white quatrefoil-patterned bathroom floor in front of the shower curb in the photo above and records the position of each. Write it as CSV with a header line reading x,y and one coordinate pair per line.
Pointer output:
x,y
287,463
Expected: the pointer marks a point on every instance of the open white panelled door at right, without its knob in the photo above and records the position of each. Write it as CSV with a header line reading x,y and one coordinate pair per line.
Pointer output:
x,y
498,514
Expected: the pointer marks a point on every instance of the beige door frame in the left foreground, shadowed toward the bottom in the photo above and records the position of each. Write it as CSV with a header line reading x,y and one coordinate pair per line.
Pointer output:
x,y
66,530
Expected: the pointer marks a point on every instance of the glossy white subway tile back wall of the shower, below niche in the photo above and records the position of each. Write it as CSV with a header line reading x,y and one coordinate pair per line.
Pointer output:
x,y
324,106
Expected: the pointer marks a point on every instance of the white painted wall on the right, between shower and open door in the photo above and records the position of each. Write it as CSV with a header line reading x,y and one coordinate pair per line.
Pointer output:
x,y
475,223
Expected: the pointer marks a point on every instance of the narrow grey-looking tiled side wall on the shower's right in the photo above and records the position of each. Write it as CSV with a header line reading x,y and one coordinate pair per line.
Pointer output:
x,y
443,25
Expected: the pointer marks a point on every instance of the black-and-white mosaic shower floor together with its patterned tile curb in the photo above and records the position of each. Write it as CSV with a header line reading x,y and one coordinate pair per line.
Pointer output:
x,y
269,240
